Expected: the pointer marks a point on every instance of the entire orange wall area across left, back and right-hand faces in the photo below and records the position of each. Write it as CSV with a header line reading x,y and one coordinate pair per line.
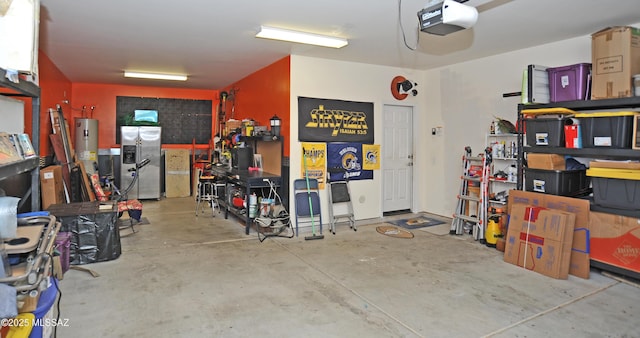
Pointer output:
x,y
259,96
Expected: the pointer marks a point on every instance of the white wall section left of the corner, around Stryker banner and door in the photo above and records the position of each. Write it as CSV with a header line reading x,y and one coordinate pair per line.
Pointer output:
x,y
327,79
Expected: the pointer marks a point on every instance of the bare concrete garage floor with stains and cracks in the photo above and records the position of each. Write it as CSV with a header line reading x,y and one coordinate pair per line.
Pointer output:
x,y
187,276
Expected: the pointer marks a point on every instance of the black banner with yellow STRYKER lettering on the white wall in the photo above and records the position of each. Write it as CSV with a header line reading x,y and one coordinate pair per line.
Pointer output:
x,y
322,120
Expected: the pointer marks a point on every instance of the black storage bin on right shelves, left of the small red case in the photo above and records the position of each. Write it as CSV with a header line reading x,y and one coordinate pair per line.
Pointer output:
x,y
545,131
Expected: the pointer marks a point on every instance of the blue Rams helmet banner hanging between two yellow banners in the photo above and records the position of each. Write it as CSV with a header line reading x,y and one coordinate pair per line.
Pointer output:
x,y
347,156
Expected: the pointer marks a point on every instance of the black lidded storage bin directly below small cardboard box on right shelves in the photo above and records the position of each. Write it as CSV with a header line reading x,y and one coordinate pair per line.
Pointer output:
x,y
557,182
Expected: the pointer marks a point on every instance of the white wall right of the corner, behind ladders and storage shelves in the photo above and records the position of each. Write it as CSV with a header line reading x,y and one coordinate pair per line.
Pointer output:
x,y
468,95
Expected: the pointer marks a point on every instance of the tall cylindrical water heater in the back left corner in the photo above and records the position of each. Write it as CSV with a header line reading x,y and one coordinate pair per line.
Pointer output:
x,y
87,143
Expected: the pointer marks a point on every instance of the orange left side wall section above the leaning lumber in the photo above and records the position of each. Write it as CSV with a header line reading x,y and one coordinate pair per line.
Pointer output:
x,y
54,88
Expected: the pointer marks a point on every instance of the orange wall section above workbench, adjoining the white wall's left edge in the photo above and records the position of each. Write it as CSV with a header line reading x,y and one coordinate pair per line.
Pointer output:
x,y
263,94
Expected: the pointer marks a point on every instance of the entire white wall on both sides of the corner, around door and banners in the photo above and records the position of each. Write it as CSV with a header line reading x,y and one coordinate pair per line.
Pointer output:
x,y
462,99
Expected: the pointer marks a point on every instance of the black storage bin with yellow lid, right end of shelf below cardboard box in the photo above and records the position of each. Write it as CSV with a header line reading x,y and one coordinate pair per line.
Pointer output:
x,y
611,130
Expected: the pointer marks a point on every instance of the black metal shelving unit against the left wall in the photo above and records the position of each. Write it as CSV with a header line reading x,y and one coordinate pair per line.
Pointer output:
x,y
25,89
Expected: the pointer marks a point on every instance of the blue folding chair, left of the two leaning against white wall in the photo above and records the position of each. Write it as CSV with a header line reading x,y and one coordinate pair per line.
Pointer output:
x,y
303,208
